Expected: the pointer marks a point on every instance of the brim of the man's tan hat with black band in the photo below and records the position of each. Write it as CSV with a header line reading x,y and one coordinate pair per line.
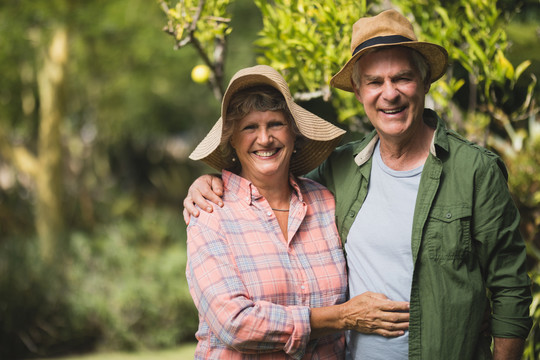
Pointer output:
x,y
435,55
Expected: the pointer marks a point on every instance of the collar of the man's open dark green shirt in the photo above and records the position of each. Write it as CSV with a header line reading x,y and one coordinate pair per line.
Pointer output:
x,y
439,139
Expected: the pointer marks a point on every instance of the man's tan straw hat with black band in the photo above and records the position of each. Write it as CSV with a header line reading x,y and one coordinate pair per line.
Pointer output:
x,y
389,28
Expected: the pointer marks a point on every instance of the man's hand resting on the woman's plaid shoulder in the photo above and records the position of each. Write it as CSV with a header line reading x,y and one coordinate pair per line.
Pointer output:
x,y
205,190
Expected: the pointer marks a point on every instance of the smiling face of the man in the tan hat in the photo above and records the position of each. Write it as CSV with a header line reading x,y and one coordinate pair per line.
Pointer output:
x,y
392,92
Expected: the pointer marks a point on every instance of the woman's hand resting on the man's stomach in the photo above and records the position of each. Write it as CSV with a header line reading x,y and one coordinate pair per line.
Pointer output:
x,y
372,313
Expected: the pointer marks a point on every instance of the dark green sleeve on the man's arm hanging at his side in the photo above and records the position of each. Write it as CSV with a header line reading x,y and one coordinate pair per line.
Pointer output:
x,y
502,252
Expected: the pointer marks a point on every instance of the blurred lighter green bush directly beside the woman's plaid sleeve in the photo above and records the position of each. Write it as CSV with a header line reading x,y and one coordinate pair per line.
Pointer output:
x,y
132,289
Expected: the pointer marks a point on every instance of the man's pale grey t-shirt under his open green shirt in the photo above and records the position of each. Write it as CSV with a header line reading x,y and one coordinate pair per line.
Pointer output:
x,y
379,254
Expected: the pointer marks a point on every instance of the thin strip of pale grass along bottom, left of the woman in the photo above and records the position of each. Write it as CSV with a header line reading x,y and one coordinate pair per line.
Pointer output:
x,y
184,352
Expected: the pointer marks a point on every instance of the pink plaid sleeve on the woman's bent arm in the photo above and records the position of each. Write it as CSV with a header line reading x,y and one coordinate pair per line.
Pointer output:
x,y
223,301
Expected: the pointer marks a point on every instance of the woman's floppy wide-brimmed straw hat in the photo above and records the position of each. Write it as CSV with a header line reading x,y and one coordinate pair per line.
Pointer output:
x,y
321,137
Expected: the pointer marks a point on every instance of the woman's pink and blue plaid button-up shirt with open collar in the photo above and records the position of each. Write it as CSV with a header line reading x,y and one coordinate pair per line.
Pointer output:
x,y
254,288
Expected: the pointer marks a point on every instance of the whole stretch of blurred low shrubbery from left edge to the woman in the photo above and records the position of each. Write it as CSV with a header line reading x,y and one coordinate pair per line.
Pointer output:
x,y
125,289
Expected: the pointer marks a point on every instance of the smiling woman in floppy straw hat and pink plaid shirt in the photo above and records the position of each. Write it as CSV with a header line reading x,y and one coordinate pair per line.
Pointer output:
x,y
275,237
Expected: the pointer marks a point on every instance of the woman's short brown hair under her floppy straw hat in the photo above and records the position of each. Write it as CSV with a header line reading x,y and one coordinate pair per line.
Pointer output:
x,y
256,98
